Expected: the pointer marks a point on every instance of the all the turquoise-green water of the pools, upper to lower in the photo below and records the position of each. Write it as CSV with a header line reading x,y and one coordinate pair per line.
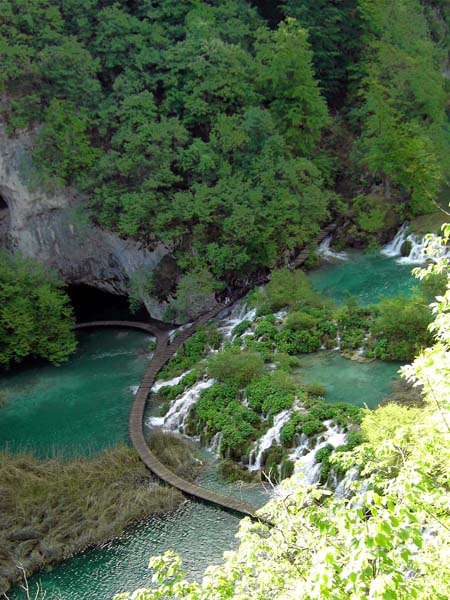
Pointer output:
x,y
82,407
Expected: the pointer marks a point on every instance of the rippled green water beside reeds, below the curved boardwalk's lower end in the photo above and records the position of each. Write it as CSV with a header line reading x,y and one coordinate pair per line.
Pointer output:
x,y
200,533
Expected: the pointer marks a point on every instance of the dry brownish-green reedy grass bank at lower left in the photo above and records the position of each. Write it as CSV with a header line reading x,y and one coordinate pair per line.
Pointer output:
x,y
52,509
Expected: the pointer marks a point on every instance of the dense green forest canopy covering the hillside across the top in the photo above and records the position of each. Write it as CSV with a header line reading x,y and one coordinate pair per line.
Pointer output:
x,y
200,124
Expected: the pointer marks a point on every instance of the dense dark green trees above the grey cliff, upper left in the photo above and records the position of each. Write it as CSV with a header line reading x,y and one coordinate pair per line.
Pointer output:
x,y
191,122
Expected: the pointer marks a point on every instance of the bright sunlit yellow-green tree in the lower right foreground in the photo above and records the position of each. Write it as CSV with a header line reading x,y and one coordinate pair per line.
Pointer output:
x,y
389,540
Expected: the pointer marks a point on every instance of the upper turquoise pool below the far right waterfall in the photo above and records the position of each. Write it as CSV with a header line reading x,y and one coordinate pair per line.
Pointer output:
x,y
367,277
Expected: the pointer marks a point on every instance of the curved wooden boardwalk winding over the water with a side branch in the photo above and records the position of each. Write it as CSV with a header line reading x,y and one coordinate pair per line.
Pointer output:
x,y
165,349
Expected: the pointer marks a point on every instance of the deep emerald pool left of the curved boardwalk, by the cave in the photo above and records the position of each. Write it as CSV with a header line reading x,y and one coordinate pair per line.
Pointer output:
x,y
80,407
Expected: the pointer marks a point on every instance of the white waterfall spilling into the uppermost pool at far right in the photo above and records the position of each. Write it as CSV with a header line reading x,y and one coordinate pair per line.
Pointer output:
x,y
419,245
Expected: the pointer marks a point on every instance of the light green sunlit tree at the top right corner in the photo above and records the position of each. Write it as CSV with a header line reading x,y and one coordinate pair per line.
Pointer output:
x,y
404,129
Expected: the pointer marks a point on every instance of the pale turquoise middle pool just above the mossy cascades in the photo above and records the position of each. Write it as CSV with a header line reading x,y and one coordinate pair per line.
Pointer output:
x,y
346,380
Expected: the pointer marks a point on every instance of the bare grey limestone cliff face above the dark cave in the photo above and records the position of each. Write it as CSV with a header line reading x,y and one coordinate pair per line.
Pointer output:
x,y
47,227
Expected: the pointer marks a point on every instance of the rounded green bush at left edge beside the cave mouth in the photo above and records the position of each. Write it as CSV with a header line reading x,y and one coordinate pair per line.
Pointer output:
x,y
35,317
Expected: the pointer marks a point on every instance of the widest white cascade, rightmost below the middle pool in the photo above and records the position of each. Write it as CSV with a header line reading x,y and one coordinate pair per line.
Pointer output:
x,y
305,457
